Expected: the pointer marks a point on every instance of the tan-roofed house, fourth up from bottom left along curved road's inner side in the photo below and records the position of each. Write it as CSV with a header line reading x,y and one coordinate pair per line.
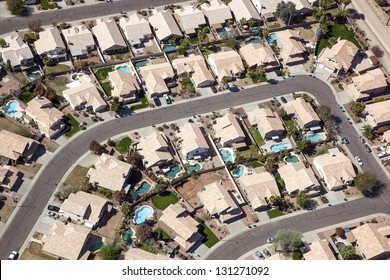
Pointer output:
x,y
155,150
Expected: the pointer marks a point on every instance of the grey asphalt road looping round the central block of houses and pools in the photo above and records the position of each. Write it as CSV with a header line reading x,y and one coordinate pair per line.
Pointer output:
x,y
52,172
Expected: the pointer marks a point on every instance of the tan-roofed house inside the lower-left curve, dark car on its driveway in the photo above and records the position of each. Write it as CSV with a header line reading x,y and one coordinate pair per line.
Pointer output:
x,y
84,207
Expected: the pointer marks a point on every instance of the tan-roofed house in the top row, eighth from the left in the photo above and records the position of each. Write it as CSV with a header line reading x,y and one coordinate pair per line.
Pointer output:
x,y
216,13
